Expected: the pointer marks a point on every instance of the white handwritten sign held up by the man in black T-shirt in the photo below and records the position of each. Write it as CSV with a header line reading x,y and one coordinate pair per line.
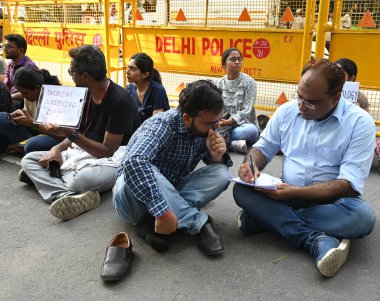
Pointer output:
x,y
61,105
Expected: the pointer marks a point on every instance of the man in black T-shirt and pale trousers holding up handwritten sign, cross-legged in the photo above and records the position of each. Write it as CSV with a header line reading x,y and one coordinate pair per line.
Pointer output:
x,y
88,157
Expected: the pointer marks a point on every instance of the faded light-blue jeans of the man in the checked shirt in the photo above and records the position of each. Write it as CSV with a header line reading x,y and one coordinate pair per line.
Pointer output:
x,y
197,189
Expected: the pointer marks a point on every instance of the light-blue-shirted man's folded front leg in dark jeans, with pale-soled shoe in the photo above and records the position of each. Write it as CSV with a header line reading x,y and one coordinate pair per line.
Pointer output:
x,y
260,210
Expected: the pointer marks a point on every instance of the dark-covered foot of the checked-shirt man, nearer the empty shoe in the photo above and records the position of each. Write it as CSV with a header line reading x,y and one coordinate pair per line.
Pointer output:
x,y
145,230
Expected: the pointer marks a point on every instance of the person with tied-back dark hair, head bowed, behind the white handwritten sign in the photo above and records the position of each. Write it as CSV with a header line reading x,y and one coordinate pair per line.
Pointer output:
x,y
18,126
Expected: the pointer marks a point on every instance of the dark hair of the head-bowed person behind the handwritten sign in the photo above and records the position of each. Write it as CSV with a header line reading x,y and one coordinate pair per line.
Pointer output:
x,y
29,78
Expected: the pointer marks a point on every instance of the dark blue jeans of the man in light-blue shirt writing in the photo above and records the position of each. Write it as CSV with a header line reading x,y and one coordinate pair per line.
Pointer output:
x,y
349,218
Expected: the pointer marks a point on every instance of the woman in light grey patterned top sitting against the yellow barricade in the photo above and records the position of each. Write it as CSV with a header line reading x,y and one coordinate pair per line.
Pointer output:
x,y
240,124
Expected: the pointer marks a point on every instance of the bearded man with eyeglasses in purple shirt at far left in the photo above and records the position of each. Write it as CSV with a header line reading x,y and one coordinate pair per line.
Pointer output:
x,y
15,48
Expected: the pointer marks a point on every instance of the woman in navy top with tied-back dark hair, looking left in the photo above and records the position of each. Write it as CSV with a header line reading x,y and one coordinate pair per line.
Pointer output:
x,y
145,86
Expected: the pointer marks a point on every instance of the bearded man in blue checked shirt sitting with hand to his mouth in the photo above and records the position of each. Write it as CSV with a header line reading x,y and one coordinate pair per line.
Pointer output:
x,y
157,187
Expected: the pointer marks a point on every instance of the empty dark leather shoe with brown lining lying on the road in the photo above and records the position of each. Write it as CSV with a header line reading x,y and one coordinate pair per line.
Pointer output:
x,y
118,258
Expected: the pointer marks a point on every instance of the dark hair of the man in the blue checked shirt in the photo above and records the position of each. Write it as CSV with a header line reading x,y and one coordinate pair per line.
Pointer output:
x,y
201,95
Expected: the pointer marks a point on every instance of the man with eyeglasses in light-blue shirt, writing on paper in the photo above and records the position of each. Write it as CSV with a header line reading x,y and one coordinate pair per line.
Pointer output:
x,y
328,146
